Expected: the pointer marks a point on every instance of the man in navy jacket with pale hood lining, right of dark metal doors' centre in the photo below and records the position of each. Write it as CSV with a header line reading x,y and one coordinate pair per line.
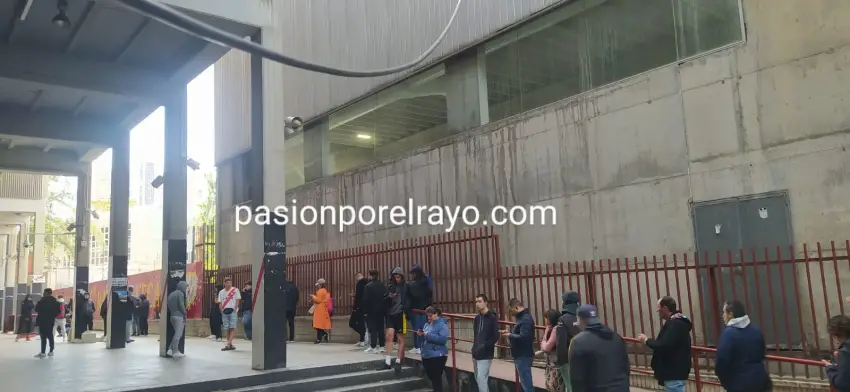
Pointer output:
x,y
740,353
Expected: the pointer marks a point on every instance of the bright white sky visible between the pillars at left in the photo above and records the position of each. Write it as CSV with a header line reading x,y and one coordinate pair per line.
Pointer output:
x,y
147,138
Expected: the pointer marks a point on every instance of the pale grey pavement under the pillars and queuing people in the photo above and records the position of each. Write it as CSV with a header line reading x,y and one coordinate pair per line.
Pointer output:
x,y
93,368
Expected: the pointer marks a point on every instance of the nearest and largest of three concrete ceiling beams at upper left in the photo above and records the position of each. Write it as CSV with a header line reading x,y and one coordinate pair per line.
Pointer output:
x,y
50,70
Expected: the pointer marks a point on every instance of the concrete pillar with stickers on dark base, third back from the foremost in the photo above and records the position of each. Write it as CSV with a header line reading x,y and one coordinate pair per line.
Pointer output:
x,y
119,217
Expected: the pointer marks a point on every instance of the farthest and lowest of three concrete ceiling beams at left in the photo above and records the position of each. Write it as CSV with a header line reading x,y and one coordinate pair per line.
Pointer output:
x,y
35,160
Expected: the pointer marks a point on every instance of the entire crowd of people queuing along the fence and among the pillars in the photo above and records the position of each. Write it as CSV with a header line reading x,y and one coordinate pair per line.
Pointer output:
x,y
581,353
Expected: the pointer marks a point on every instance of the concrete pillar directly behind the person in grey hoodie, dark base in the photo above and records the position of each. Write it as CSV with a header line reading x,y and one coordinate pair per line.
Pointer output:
x,y
174,210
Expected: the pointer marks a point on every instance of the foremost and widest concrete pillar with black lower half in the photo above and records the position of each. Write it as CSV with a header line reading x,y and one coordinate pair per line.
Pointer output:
x,y
268,187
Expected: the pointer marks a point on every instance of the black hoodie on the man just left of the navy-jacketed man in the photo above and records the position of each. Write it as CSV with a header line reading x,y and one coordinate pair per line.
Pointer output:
x,y
671,350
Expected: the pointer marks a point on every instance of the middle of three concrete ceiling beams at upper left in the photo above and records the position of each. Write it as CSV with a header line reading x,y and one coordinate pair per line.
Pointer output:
x,y
46,125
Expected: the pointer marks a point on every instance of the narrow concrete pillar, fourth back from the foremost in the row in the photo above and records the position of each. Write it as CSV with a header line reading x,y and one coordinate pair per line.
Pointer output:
x,y
82,252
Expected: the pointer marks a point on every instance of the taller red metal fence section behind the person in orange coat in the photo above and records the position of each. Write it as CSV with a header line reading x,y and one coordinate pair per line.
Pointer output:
x,y
461,264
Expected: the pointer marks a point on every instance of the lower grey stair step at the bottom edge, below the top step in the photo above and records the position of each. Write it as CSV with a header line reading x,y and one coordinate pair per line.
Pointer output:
x,y
331,381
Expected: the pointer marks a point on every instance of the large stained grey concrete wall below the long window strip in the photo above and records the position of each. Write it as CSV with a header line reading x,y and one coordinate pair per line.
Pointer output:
x,y
623,163
